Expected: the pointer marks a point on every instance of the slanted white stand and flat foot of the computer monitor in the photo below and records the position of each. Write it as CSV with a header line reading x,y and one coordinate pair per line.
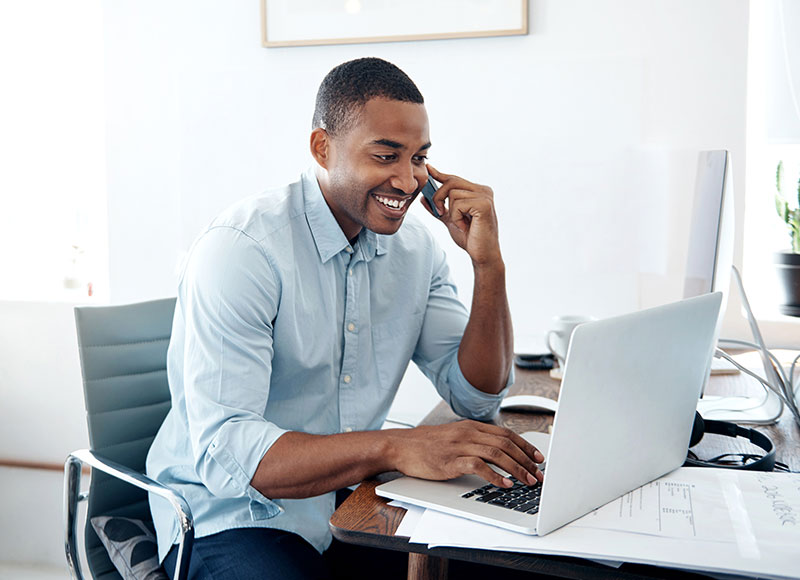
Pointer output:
x,y
763,409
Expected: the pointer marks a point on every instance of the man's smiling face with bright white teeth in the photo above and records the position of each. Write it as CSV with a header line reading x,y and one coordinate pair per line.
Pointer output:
x,y
376,167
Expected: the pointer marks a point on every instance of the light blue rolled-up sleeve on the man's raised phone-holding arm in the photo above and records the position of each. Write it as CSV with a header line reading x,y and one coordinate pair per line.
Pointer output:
x,y
436,353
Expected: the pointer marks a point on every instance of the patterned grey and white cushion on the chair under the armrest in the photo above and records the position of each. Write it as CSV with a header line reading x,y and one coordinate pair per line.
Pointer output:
x,y
131,546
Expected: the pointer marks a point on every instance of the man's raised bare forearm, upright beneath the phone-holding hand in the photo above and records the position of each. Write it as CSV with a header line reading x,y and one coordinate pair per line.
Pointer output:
x,y
487,348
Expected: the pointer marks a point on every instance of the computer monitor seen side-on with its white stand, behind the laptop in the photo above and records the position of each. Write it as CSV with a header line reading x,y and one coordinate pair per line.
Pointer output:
x,y
709,265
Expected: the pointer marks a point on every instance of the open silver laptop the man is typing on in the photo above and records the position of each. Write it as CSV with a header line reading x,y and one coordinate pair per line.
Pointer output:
x,y
625,413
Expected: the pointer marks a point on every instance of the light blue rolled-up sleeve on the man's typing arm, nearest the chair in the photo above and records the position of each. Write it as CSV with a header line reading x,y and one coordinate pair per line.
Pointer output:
x,y
230,297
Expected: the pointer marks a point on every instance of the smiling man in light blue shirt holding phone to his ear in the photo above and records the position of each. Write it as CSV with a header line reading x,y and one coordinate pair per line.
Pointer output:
x,y
297,314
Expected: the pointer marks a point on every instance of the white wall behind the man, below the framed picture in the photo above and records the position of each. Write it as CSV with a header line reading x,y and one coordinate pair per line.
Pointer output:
x,y
586,129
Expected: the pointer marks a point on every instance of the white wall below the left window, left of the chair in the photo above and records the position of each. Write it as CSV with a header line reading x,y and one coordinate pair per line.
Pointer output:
x,y
42,419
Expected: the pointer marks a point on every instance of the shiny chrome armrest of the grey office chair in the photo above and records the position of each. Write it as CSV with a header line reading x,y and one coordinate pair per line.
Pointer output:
x,y
72,471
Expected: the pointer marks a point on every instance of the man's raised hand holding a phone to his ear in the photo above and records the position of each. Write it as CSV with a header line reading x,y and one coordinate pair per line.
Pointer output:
x,y
469,216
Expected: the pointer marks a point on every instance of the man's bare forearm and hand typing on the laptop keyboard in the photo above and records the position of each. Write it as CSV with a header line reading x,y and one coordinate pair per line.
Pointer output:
x,y
300,465
